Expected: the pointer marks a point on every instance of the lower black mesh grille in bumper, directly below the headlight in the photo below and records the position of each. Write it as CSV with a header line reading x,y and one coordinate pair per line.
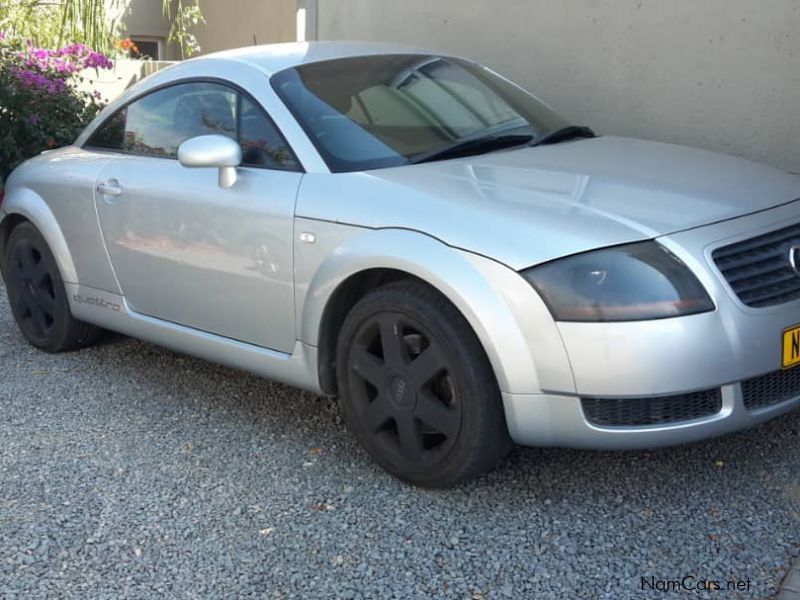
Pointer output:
x,y
620,412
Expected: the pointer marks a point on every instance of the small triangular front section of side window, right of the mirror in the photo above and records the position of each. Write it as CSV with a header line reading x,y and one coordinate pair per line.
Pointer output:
x,y
262,144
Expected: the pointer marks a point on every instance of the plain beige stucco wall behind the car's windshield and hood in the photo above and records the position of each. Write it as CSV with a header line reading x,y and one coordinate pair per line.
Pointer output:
x,y
721,74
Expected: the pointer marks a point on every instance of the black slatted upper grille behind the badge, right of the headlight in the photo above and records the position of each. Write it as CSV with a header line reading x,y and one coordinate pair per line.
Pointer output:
x,y
758,269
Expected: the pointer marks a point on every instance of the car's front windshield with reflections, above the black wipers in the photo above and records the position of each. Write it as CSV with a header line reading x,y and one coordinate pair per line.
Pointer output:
x,y
371,112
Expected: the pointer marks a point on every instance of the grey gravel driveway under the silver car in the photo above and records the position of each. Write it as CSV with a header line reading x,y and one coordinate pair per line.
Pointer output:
x,y
128,470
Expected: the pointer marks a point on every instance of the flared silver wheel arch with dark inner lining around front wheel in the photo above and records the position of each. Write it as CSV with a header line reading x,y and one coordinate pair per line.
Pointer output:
x,y
468,281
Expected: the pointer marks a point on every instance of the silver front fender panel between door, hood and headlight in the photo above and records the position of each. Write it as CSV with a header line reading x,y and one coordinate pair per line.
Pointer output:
x,y
508,317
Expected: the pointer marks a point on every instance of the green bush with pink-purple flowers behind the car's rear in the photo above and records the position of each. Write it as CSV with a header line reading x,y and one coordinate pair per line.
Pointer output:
x,y
41,106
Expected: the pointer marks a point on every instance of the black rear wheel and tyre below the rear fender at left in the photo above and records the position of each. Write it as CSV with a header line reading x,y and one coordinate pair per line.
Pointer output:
x,y
37,295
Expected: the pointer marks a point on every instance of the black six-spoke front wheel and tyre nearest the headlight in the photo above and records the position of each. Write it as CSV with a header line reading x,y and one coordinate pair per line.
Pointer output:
x,y
417,389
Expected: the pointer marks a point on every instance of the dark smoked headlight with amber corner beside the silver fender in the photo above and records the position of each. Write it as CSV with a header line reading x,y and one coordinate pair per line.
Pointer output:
x,y
625,283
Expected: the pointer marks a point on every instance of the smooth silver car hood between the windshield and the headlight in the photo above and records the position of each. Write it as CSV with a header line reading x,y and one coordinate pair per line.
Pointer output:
x,y
530,205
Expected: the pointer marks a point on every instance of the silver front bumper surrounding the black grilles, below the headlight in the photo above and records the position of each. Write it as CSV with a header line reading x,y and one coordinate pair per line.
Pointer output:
x,y
654,359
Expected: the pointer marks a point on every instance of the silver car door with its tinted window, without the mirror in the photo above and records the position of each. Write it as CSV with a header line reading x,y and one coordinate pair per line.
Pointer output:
x,y
183,249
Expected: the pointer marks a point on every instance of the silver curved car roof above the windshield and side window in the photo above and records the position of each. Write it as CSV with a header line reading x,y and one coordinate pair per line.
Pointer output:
x,y
272,58
